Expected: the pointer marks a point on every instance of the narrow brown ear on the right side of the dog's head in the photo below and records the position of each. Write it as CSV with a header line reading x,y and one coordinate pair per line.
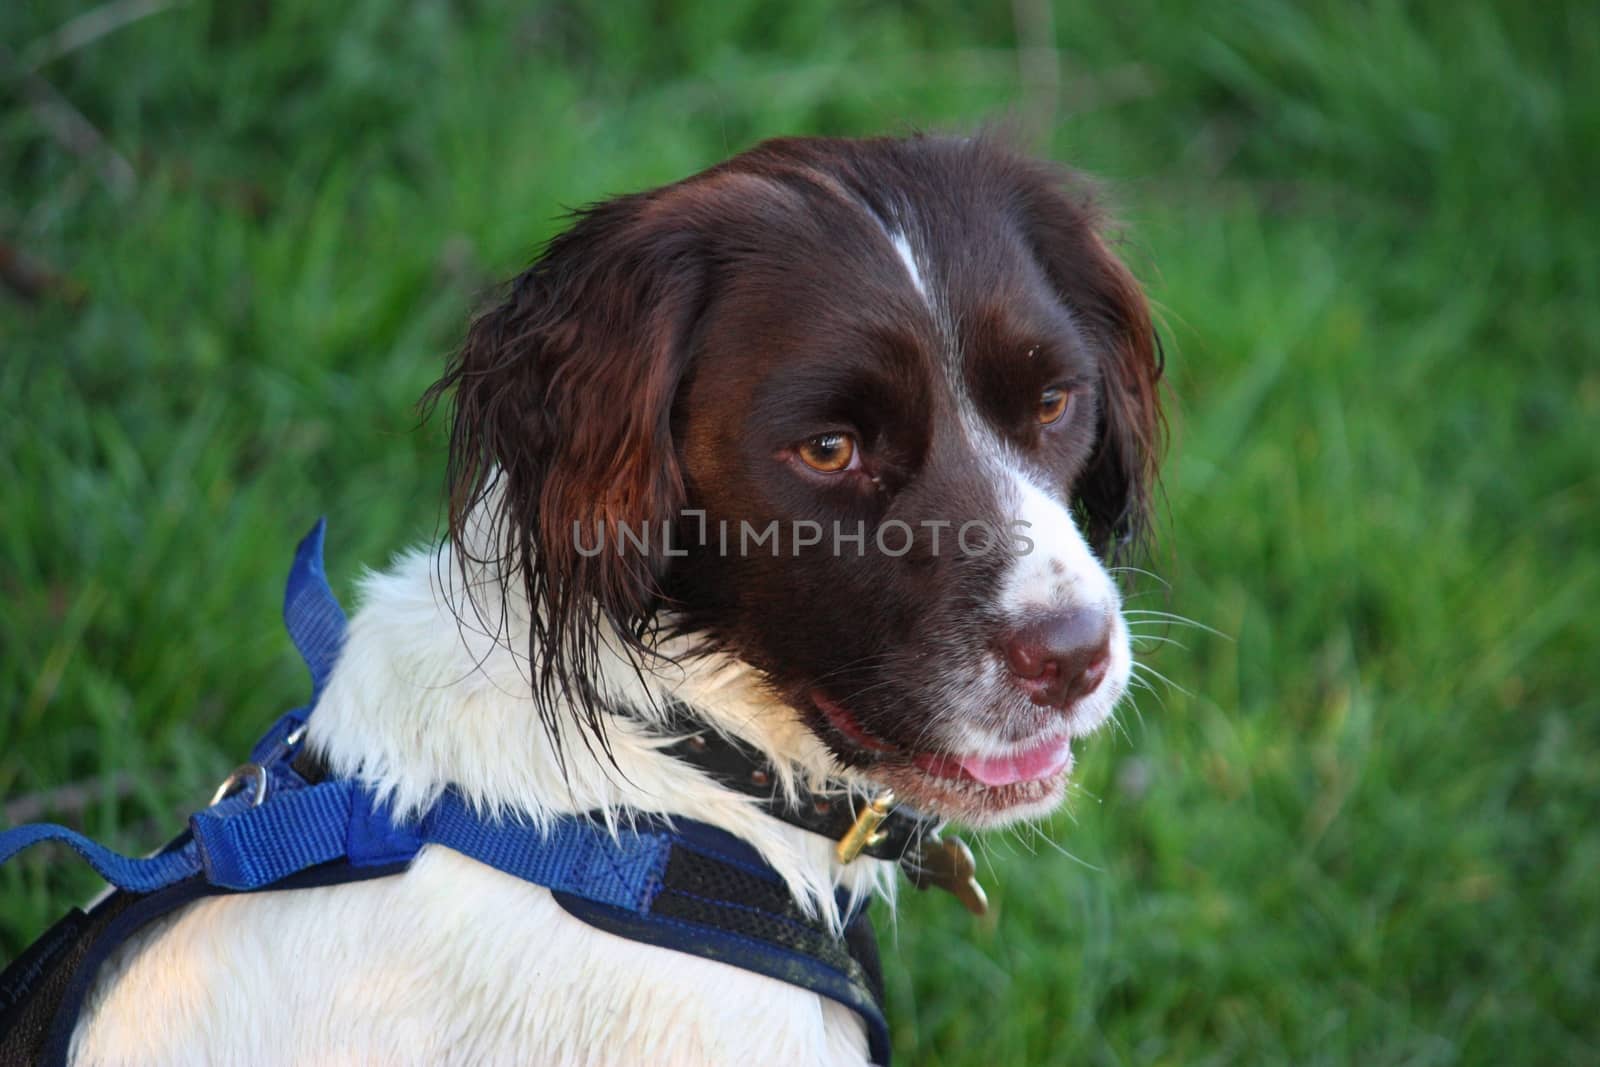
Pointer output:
x,y
1068,233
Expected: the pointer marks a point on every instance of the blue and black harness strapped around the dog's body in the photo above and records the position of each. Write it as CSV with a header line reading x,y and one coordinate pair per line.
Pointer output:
x,y
682,885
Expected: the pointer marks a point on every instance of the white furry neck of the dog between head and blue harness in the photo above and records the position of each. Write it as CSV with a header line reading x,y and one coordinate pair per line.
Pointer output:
x,y
433,692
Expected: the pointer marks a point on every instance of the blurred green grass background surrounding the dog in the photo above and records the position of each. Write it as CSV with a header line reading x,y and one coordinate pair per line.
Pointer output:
x,y
1359,826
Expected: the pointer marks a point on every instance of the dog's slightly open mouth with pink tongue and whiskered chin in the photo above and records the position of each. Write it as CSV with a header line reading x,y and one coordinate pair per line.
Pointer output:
x,y
974,788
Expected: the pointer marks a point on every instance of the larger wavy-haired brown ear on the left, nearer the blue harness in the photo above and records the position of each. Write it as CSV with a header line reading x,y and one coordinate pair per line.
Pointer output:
x,y
562,422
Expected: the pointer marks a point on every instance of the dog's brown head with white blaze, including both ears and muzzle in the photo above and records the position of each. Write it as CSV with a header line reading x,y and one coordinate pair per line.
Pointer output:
x,y
868,415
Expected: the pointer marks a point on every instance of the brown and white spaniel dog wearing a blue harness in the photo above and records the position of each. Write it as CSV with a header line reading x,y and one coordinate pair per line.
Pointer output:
x,y
830,446
